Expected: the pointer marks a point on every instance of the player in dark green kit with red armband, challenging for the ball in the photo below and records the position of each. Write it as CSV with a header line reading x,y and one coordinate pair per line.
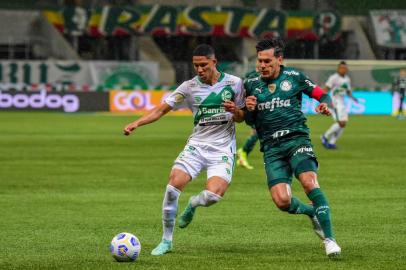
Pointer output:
x,y
273,105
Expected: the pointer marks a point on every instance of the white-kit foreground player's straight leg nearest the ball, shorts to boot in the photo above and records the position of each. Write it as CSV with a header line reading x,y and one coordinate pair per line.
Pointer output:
x,y
186,167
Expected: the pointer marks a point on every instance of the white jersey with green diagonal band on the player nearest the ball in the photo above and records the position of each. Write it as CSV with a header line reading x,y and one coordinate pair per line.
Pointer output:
x,y
212,124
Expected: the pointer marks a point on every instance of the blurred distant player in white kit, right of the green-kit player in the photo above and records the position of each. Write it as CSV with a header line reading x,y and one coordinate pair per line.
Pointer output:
x,y
340,85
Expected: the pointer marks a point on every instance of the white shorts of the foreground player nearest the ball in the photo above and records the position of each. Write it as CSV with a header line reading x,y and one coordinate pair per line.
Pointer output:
x,y
195,158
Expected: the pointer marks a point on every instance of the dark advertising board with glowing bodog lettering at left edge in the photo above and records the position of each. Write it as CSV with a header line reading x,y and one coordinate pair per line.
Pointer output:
x,y
54,101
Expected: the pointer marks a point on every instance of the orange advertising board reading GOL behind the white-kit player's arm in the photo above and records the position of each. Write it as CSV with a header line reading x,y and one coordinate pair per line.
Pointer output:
x,y
140,101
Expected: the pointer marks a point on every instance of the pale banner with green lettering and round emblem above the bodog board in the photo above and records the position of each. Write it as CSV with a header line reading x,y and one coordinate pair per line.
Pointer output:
x,y
77,75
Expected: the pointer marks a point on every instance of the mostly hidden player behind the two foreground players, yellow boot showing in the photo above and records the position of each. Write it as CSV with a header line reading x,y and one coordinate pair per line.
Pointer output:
x,y
251,141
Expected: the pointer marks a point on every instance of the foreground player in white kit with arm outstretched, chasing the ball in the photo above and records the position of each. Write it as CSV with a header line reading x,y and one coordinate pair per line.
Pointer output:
x,y
211,146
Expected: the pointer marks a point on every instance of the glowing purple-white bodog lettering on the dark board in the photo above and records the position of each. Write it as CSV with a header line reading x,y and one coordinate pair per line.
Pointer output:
x,y
39,100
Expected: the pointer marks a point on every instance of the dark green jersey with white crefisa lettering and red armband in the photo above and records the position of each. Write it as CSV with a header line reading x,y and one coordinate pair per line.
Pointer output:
x,y
279,101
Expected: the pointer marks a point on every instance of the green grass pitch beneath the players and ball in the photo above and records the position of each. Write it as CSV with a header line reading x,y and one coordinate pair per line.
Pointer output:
x,y
70,182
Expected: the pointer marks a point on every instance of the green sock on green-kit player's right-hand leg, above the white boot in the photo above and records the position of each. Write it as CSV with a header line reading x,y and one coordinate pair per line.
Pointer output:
x,y
322,211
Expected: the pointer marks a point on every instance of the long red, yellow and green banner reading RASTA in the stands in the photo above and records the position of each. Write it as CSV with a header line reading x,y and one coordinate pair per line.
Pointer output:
x,y
195,20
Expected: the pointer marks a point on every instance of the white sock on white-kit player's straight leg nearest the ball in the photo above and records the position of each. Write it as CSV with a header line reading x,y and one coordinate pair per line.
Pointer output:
x,y
169,210
